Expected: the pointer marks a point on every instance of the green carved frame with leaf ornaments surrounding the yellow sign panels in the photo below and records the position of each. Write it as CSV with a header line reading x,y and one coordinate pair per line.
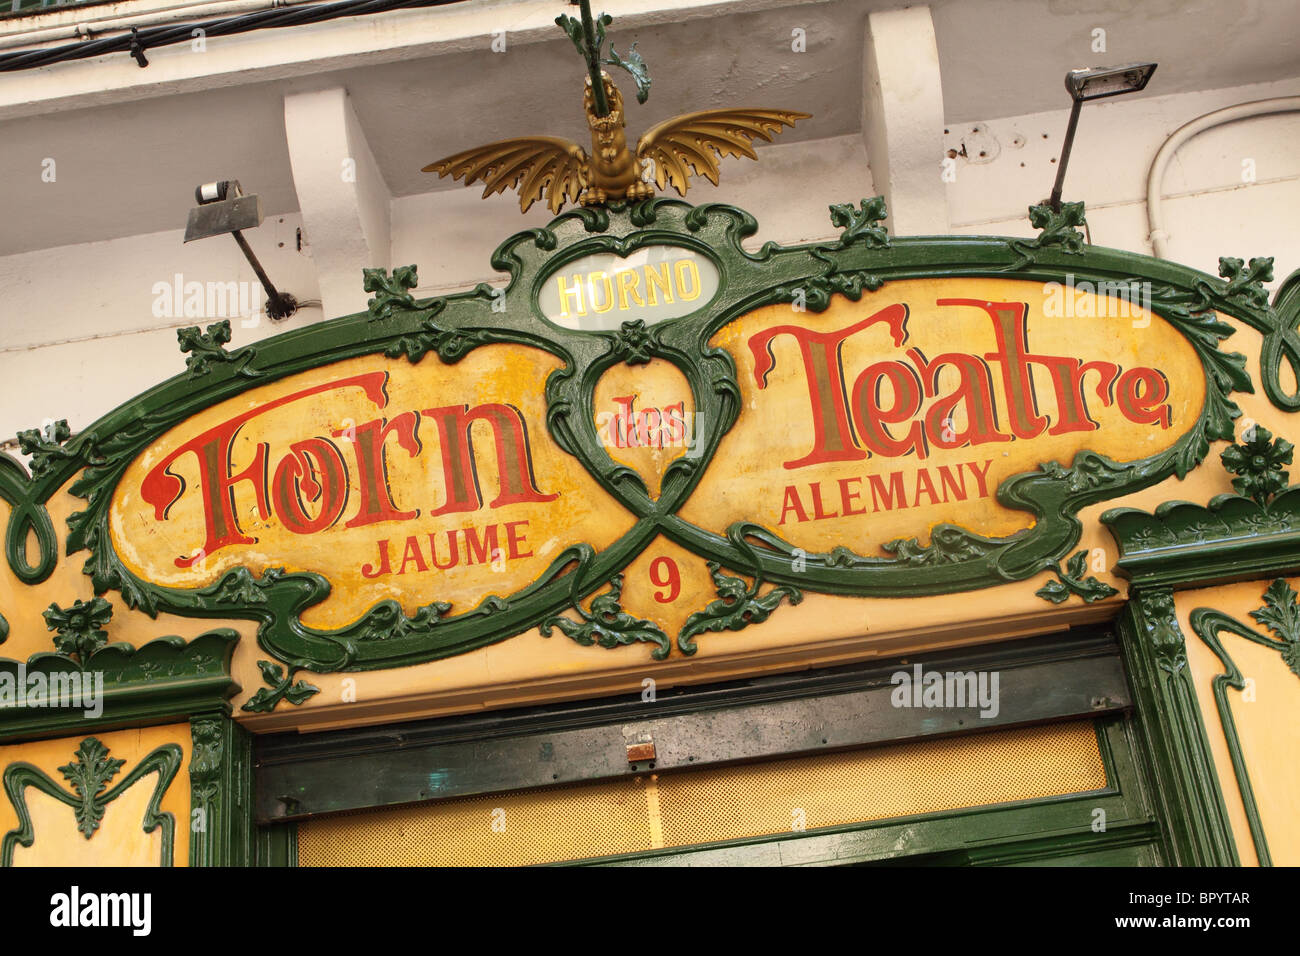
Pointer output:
x,y
865,258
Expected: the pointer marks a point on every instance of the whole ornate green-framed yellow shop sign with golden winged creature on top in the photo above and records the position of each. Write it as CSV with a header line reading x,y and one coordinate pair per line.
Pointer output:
x,y
866,417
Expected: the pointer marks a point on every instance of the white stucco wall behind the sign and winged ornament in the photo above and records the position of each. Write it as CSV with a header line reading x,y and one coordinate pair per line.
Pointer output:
x,y
79,332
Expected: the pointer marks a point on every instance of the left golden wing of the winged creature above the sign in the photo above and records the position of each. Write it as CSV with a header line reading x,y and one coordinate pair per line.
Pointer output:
x,y
530,165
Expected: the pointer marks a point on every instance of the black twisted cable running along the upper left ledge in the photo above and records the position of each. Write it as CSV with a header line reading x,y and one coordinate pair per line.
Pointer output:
x,y
183,33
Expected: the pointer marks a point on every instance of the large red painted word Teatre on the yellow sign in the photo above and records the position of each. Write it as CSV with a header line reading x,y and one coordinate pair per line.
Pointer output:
x,y
855,423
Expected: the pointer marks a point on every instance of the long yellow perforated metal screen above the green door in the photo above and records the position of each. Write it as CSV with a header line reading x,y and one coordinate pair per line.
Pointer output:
x,y
709,806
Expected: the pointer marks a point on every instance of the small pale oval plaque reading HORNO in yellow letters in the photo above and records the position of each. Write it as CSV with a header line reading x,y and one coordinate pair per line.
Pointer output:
x,y
601,292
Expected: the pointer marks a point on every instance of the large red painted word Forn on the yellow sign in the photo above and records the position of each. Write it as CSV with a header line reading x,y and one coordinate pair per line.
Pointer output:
x,y
315,470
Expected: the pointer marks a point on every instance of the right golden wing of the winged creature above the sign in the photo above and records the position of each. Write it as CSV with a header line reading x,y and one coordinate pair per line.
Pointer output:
x,y
684,146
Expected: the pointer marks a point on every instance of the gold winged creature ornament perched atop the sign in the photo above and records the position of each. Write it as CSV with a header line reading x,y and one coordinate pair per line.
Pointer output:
x,y
669,154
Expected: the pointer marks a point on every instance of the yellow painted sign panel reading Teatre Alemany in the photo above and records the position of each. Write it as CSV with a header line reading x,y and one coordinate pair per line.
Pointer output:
x,y
814,455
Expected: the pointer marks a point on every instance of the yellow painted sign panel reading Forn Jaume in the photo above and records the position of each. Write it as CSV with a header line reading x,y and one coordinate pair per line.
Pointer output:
x,y
395,481
